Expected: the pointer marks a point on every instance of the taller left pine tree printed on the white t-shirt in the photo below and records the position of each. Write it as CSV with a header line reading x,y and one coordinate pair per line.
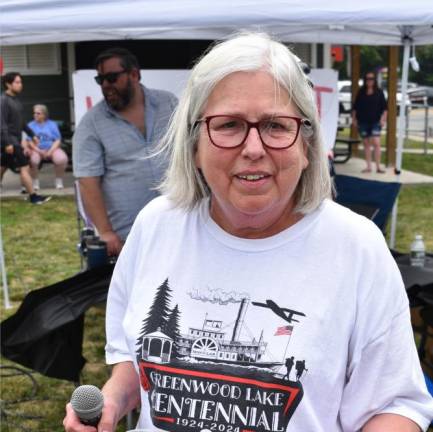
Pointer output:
x,y
158,313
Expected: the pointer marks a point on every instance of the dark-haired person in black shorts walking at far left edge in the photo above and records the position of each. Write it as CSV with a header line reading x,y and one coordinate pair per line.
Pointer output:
x,y
12,125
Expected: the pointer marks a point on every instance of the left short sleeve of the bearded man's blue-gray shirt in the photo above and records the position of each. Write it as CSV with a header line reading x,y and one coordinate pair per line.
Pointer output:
x,y
87,150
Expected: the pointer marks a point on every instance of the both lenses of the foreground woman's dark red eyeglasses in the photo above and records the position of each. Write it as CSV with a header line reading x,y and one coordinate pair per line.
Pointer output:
x,y
276,132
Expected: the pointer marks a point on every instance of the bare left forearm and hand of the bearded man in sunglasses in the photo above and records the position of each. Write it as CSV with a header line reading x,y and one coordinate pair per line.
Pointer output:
x,y
93,200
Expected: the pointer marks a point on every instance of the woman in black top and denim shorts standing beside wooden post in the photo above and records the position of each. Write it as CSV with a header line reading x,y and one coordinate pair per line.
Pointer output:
x,y
369,116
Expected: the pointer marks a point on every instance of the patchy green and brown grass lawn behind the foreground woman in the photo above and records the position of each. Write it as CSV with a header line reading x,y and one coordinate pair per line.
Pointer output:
x,y
40,249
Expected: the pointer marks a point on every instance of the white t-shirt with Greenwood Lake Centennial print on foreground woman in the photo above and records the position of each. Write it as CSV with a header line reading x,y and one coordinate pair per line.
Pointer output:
x,y
307,330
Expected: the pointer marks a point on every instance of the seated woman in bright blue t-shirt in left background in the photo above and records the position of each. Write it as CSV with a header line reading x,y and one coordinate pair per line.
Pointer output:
x,y
48,148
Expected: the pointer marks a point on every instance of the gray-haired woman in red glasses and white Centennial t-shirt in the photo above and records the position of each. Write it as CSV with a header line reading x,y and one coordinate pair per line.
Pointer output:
x,y
244,268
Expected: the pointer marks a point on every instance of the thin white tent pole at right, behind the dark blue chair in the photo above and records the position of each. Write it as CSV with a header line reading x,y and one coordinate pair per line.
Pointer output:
x,y
400,137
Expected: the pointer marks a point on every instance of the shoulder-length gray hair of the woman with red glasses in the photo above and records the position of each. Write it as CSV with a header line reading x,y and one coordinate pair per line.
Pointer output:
x,y
183,183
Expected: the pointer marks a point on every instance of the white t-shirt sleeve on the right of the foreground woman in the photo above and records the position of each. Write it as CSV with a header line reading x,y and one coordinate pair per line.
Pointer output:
x,y
384,373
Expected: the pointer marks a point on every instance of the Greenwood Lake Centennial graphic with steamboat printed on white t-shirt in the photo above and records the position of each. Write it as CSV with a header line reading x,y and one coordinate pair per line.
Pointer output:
x,y
217,375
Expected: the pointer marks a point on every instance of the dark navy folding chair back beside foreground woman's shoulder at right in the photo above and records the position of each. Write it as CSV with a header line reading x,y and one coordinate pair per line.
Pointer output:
x,y
373,199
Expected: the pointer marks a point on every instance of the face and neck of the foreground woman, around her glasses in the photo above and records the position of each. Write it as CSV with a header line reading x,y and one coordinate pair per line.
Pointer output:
x,y
252,186
